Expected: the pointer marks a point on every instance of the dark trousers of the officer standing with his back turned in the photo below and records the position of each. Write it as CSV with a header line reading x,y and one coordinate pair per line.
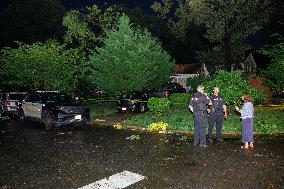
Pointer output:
x,y
199,128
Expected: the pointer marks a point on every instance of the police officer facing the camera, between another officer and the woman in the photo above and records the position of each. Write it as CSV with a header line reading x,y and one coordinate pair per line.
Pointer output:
x,y
217,110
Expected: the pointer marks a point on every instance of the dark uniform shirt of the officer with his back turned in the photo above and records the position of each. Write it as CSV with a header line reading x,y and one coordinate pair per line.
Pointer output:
x,y
199,102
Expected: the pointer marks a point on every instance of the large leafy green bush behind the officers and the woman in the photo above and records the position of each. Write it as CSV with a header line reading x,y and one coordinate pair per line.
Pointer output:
x,y
232,87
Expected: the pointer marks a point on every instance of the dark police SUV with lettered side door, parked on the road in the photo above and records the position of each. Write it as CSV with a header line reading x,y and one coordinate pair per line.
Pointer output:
x,y
53,109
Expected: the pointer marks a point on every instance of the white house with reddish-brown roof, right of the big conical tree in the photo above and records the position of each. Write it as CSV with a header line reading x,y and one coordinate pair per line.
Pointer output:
x,y
183,71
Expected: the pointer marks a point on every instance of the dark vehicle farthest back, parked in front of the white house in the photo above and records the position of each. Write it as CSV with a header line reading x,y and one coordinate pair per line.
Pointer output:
x,y
168,89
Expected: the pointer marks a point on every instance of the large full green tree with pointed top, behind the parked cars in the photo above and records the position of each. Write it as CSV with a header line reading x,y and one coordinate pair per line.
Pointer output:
x,y
131,60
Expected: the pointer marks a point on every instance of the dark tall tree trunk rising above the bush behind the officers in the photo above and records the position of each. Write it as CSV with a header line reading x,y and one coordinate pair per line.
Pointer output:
x,y
227,49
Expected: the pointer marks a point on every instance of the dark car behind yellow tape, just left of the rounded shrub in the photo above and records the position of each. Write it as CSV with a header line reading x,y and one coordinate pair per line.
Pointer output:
x,y
133,102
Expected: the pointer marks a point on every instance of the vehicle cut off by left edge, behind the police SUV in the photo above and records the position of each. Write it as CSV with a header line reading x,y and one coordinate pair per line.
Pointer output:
x,y
9,103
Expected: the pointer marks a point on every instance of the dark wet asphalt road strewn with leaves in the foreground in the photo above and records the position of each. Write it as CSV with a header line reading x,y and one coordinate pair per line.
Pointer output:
x,y
70,158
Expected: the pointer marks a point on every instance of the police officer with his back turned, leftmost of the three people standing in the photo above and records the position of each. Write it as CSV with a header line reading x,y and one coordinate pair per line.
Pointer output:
x,y
198,105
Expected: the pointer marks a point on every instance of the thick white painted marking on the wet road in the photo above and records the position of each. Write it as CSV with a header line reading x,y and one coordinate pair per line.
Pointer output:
x,y
116,181
